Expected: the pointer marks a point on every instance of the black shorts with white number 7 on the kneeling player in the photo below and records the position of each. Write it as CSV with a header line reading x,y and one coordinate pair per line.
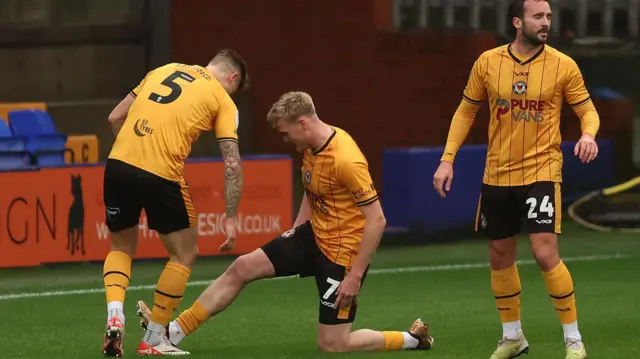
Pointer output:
x,y
295,252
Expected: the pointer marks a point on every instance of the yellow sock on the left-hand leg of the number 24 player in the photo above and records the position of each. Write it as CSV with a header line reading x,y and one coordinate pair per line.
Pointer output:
x,y
506,289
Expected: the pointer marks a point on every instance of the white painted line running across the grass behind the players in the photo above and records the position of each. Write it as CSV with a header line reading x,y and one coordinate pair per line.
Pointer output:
x,y
200,283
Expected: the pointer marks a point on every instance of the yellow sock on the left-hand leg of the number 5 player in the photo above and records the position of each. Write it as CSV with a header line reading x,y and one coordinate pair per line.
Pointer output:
x,y
117,274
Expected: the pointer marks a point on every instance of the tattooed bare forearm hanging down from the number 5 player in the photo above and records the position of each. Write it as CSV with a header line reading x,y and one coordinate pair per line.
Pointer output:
x,y
232,176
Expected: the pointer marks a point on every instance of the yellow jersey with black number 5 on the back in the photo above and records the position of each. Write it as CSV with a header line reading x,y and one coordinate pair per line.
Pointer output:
x,y
174,104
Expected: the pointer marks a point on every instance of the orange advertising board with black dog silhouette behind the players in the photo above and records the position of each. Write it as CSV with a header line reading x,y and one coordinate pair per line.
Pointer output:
x,y
57,215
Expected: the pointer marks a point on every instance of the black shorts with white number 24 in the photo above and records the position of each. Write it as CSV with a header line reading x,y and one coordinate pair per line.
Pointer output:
x,y
503,211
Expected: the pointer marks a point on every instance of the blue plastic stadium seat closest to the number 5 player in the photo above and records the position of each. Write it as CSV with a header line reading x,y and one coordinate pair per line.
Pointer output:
x,y
43,141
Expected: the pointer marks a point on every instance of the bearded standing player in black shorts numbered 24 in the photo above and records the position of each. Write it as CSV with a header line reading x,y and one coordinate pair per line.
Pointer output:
x,y
525,83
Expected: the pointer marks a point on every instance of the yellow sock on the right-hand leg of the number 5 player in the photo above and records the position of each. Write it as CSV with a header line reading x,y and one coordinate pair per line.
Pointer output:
x,y
169,292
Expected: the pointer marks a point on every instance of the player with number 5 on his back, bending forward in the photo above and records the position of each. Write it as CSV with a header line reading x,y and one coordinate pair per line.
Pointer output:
x,y
155,126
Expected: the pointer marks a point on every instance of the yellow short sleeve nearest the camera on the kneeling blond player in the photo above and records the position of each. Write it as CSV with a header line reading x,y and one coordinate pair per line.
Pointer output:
x,y
354,174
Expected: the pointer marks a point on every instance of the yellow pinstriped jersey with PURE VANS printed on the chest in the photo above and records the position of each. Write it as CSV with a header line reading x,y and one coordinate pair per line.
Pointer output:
x,y
525,97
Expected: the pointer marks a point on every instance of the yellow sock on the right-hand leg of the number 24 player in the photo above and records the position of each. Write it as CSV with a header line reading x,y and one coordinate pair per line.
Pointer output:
x,y
560,287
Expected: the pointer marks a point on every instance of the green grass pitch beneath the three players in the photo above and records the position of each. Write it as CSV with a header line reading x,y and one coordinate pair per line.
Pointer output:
x,y
446,285
